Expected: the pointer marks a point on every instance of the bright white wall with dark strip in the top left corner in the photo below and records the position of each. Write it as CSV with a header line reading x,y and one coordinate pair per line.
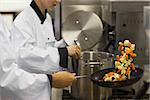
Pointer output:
x,y
10,8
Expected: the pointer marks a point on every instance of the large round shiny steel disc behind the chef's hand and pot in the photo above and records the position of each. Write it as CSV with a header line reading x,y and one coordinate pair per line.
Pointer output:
x,y
84,26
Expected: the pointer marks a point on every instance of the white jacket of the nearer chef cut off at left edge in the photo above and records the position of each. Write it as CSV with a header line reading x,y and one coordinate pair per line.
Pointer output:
x,y
15,83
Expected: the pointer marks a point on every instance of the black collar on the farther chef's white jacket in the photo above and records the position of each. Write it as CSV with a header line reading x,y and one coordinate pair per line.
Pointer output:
x,y
38,12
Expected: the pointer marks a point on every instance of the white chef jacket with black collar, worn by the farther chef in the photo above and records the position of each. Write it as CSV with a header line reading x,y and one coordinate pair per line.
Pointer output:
x,y
34,40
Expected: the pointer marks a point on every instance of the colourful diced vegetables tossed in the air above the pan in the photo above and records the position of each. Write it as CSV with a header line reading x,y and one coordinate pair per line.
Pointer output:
x,y
124,63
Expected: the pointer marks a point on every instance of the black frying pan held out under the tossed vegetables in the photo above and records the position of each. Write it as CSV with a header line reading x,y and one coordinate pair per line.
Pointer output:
x,y
97,76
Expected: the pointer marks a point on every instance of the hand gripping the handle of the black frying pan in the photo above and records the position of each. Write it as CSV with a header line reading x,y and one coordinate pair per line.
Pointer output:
x,y
62,79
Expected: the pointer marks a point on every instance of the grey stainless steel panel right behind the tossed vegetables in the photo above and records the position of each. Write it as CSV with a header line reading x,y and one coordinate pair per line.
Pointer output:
x,y
130,26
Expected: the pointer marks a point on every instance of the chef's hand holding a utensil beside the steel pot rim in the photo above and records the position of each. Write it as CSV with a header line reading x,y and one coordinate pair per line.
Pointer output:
x,y
74,51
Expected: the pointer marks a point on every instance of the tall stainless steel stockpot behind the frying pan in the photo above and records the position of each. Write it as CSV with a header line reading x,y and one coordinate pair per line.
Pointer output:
x,y
90,62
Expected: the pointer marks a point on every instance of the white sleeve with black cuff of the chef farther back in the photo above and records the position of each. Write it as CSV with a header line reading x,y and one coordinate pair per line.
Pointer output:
x,y
33,58
